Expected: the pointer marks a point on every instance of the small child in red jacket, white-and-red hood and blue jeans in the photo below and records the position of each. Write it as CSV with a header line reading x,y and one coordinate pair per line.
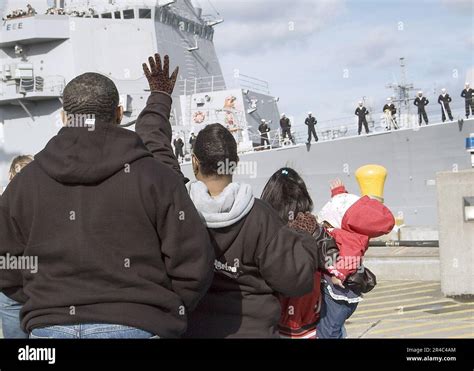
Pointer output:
x,y
351,220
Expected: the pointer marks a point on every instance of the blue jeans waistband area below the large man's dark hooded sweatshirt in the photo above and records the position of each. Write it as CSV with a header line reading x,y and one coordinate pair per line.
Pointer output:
x,y
90,331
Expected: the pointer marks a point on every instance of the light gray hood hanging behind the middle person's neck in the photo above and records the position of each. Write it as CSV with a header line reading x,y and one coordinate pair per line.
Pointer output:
x,y
233,204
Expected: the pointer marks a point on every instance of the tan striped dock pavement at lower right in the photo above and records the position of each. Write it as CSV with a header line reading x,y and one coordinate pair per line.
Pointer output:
x,y
411,309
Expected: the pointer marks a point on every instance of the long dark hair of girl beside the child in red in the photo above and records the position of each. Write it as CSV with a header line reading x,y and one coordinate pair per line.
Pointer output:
x,y
286,192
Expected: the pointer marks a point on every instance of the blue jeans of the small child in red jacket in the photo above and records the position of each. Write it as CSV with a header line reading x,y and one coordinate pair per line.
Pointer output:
x,y
333,315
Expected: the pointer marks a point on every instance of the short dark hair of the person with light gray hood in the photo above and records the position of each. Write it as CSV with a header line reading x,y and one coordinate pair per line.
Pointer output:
x,y
216,150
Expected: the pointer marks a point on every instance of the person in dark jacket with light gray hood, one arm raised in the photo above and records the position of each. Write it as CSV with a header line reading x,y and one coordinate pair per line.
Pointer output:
x,y
258,257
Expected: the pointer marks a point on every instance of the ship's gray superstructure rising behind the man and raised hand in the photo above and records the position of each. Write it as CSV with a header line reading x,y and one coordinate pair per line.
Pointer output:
x,y
41,52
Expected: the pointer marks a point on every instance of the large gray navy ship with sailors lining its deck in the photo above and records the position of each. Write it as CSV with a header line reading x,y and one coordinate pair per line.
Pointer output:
x,y
42,49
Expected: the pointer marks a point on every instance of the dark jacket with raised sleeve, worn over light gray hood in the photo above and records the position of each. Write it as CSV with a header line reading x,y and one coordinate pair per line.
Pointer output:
x,y
257,258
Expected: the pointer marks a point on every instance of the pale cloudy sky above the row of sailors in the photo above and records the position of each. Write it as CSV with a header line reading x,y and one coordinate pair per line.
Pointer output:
x,y
325,55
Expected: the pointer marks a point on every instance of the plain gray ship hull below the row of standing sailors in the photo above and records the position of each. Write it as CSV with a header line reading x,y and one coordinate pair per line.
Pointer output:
x,y
411,156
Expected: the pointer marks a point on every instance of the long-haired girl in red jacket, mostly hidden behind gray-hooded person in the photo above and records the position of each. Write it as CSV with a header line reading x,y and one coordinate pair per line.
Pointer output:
x,y
286,192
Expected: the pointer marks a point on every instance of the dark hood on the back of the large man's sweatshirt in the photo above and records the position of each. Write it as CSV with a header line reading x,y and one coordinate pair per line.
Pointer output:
x,y
84,156
